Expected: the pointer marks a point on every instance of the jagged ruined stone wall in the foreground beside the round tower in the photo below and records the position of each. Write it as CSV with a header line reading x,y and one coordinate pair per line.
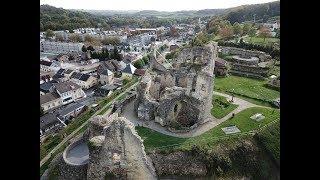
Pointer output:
x,y
119,153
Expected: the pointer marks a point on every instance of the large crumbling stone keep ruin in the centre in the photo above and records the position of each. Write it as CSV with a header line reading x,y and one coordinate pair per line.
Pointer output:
x,y
181,96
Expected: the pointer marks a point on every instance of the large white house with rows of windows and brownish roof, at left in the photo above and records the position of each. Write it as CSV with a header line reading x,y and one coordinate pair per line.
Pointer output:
x,y
69,91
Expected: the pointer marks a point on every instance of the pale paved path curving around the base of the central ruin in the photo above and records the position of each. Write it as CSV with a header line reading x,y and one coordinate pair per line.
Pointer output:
x,y
130,115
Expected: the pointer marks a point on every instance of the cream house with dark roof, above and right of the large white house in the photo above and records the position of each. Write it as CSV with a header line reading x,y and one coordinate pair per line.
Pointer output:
x,y
83,80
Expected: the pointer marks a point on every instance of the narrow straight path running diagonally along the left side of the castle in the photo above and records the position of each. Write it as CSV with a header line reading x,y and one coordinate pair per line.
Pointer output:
x,y
45,159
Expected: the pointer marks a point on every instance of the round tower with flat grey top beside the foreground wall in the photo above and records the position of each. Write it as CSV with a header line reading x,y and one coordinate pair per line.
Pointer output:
x,y
77,153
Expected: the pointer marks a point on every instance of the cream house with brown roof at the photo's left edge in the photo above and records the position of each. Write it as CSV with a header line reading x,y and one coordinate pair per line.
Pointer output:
x,y
50,101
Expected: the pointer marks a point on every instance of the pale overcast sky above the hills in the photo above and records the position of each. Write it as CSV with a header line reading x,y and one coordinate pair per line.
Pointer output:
x,y
160,5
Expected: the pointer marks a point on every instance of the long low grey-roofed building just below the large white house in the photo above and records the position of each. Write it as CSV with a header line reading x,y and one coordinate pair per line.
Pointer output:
x,y
71,111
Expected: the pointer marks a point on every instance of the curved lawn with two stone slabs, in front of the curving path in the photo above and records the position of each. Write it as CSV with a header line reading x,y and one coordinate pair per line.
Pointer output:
x,y
153,139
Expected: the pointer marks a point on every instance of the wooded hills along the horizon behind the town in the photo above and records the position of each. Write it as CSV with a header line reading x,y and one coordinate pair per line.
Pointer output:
x,y
58,18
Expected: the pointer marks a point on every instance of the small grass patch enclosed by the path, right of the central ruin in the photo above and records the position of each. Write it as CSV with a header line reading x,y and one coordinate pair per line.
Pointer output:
x,y
221,107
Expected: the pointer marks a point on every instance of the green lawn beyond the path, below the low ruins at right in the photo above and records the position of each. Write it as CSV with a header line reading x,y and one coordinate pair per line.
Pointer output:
x,y
249,89
